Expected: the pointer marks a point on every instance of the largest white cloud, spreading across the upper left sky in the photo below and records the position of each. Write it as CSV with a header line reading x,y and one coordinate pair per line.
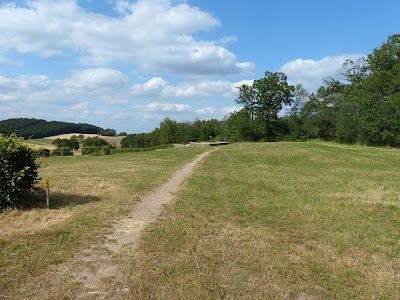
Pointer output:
x,y
155,35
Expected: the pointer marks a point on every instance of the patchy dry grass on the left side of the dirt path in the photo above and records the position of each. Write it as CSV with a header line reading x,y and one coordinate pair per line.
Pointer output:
x,y
87,194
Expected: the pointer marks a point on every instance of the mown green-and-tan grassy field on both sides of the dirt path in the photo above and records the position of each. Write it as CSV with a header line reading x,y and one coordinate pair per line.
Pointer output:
x,y
255,221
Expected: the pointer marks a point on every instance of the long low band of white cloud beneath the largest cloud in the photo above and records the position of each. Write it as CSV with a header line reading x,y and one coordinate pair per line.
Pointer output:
x,y
111,86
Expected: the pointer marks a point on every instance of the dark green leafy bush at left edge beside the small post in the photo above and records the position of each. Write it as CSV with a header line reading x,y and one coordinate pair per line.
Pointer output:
x,y
18,170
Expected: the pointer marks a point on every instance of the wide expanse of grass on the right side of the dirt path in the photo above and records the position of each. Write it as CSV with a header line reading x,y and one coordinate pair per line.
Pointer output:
x,y
277,221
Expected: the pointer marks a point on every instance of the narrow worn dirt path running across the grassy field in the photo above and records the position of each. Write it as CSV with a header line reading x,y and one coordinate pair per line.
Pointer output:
x,y
98,265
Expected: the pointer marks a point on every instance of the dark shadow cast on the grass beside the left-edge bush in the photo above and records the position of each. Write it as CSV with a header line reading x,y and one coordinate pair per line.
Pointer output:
x,y
57,200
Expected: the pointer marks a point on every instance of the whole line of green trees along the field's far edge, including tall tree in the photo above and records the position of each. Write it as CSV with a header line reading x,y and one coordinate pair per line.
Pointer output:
x,y
363,107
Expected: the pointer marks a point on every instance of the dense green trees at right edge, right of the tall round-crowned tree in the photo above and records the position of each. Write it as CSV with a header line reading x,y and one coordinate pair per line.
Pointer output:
x,y
366,108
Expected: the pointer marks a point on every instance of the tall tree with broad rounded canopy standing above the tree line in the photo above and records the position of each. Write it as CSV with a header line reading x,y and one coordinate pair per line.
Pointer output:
x,y
265,98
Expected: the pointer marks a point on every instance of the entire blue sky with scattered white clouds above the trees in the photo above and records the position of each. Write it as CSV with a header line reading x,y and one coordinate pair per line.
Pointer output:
x,y
127,65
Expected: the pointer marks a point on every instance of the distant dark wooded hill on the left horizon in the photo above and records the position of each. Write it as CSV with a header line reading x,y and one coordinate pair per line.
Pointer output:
x,y
37,128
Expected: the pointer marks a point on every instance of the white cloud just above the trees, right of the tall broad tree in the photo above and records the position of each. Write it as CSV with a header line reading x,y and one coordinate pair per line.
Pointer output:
x,y
311,72
